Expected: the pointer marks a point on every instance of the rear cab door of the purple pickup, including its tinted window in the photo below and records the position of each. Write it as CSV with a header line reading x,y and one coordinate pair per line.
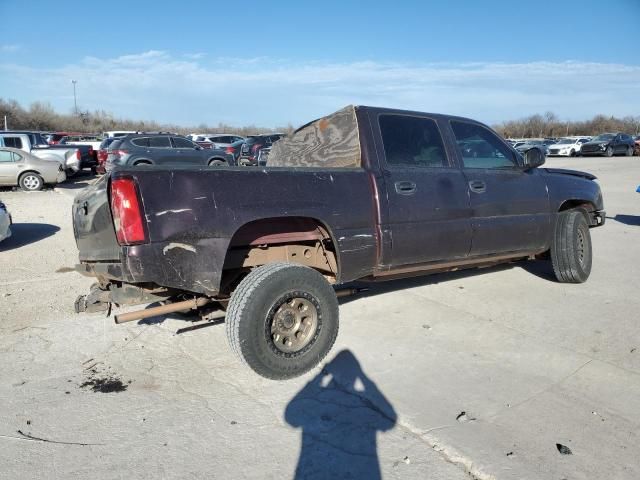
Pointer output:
x,y
426,193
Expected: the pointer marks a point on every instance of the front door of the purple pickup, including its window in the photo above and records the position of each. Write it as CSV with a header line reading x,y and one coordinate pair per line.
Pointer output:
x,y
510,205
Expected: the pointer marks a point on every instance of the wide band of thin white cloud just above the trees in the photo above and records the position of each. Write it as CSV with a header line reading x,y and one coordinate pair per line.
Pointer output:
x,y
190,89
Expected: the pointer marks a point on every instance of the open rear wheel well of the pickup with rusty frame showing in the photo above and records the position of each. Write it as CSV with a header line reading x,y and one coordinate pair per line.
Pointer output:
x,y
302,240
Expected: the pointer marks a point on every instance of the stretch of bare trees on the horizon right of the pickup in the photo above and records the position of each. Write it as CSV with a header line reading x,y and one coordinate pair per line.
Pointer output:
x,y
549,125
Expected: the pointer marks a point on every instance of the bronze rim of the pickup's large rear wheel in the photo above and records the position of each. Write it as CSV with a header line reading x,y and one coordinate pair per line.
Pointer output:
x,y
294,325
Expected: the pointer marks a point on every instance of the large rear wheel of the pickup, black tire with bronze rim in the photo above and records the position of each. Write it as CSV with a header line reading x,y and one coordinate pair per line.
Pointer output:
x,y
282,320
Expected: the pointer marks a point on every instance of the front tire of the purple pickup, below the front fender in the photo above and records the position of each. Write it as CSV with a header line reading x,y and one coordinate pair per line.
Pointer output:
x,y
571,252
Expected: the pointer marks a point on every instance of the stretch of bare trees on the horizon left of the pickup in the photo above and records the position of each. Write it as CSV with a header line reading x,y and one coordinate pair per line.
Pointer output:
x,y
41,116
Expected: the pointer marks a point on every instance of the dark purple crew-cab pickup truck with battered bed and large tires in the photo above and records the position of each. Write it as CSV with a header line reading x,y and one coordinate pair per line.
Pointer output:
x,y
362,194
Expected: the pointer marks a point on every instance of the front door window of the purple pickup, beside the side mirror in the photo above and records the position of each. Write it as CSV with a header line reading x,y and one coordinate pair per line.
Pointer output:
x,y
480,148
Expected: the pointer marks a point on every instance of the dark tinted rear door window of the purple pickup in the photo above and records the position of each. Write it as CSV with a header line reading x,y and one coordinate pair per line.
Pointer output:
x,y
412,142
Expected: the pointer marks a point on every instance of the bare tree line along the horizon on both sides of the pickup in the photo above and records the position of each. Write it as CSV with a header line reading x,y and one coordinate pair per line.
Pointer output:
x,y
42,116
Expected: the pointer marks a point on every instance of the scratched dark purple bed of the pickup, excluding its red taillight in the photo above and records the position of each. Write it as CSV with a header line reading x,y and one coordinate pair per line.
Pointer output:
x,y
193,213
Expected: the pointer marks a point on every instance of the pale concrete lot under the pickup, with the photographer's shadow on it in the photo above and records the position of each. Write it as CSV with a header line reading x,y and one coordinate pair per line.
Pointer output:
x,y
500,373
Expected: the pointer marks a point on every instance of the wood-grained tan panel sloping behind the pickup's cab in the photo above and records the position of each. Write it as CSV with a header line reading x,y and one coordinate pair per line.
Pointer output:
x,y
329,142
